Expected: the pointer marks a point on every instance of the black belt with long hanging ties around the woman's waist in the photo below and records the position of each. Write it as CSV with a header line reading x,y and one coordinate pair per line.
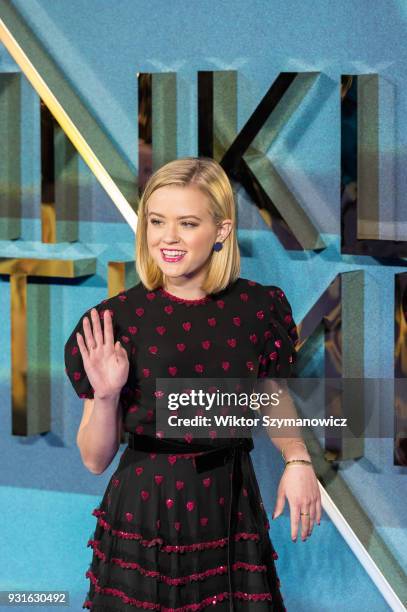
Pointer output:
x,y
211,457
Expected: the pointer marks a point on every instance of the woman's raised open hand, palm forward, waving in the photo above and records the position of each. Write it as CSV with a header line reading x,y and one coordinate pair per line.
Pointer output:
x,y
106,364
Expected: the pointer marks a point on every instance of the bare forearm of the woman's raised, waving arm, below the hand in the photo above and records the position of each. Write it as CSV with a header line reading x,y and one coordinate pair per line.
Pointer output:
x,y
98,441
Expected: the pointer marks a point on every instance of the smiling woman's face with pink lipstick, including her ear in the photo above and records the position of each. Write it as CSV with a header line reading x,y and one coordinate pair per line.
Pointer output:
x,y
178,219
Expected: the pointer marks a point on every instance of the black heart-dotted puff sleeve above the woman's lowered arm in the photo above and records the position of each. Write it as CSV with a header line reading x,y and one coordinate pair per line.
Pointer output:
x,y
279,352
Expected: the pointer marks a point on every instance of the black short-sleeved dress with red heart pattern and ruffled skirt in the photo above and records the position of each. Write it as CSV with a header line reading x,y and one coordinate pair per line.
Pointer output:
x,y
169,537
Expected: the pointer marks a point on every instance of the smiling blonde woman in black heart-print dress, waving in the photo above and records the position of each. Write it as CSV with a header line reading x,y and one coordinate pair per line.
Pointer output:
x,y
181,525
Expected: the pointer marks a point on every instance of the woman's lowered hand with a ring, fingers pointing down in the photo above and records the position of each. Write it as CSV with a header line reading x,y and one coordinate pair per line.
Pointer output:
x,y
299,485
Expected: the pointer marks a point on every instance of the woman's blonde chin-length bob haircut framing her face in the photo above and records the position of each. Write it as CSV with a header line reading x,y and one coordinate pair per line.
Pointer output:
x,y
206,174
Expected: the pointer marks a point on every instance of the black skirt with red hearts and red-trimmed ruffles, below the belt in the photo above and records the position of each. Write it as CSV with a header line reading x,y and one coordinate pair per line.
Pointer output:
x,y
161,540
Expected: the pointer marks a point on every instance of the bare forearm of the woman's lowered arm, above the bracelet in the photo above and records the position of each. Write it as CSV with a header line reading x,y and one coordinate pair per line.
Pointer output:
x,y
285,436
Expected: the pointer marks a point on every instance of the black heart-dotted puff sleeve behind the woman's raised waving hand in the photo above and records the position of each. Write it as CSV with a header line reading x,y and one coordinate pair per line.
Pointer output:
x,y
74,367
